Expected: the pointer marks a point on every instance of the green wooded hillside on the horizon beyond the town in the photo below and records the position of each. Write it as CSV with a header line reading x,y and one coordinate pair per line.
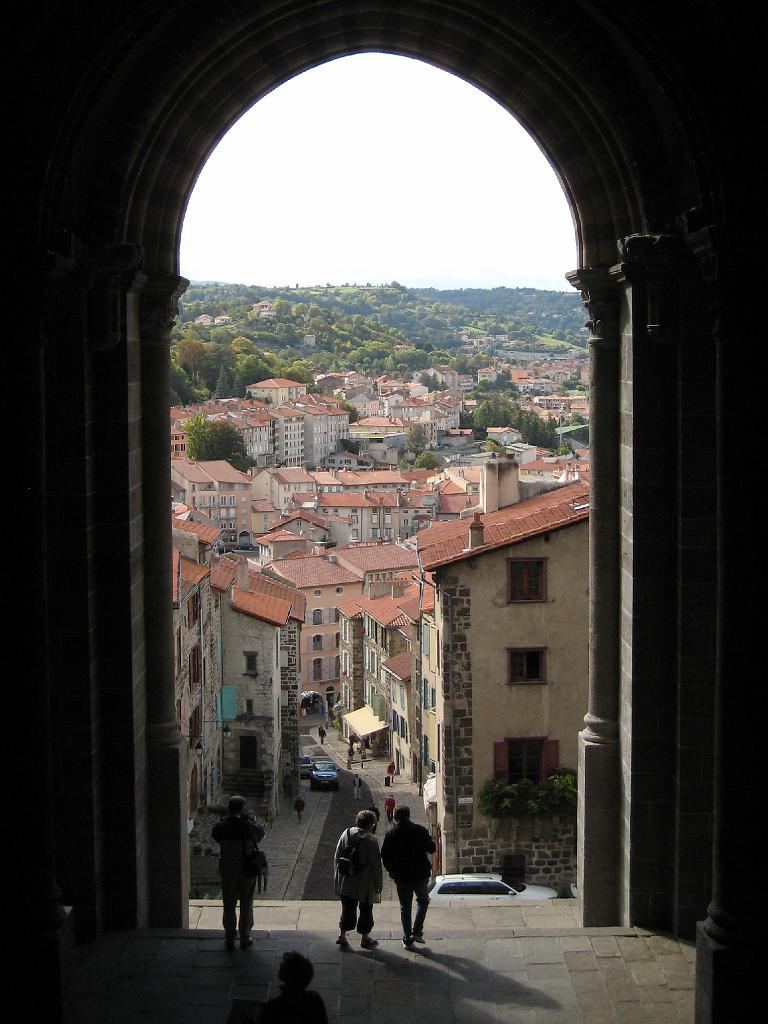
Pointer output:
x,y
374,329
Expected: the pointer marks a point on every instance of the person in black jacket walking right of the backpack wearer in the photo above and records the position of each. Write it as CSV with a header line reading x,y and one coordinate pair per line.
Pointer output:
x,y
406,856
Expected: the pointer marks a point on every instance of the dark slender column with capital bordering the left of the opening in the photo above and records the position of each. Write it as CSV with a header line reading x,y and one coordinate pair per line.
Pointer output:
x,y
166,841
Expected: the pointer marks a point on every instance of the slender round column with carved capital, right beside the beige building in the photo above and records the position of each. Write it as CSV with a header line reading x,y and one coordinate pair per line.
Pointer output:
x,y
599,833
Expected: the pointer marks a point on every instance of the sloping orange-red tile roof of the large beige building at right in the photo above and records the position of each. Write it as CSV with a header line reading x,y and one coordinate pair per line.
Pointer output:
x,y
446,543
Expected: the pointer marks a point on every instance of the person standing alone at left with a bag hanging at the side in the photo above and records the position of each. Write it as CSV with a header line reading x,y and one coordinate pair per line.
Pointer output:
x,y
239,838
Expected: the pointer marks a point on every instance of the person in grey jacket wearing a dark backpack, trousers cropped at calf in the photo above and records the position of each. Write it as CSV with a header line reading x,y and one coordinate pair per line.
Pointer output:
x,y
359,879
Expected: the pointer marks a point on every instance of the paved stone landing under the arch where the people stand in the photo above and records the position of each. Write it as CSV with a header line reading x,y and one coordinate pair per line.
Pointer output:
x,y
490,965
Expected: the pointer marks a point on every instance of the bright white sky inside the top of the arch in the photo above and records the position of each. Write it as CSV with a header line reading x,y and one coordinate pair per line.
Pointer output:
x,y
376,168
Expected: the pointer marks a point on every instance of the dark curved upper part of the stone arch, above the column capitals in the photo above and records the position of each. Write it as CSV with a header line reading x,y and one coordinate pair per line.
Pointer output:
x,y
152,109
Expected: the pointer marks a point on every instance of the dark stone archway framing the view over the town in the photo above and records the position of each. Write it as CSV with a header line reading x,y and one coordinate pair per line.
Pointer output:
x,y
621,129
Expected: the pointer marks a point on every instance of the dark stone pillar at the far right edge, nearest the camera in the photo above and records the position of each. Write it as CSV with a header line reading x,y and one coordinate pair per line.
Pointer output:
x,y
728,973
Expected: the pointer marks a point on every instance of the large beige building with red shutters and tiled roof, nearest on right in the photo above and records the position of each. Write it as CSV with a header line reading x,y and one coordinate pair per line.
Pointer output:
x,y
508,651
